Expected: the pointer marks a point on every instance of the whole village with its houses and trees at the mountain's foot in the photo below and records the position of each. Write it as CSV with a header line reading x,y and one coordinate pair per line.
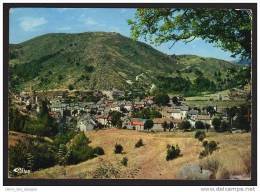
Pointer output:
x,y
71,108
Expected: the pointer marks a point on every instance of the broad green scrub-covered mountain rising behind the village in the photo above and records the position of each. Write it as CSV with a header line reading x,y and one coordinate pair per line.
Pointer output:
x,y
99,60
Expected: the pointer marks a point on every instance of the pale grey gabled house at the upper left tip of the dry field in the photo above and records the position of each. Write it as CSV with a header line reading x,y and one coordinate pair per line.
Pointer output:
x,y
86,123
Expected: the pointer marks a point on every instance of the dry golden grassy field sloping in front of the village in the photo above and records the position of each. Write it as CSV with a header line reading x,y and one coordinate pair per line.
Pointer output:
x,y
148,162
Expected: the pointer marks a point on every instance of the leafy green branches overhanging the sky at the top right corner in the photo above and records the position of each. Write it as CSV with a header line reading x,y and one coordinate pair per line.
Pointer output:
x,y
229,29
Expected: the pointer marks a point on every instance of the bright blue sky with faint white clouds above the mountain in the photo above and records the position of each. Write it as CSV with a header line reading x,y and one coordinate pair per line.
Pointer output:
x,y
26,23
